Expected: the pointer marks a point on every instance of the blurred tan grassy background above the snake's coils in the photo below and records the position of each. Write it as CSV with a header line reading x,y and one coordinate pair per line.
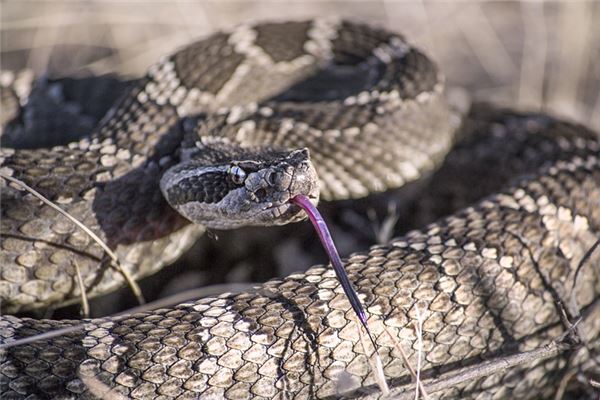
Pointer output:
x,y
533,54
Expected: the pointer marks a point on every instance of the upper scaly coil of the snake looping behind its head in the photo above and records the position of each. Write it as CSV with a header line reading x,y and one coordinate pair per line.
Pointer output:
x,y
393,102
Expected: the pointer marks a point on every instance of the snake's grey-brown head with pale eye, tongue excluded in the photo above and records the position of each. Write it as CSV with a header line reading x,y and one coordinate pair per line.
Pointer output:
x,y
223,188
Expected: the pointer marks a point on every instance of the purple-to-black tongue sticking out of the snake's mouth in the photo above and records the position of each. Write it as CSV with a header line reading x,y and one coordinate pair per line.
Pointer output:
x,y
321,228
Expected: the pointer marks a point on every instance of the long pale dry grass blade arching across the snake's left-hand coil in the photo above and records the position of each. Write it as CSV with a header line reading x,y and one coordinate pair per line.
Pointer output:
x,y
115,261
